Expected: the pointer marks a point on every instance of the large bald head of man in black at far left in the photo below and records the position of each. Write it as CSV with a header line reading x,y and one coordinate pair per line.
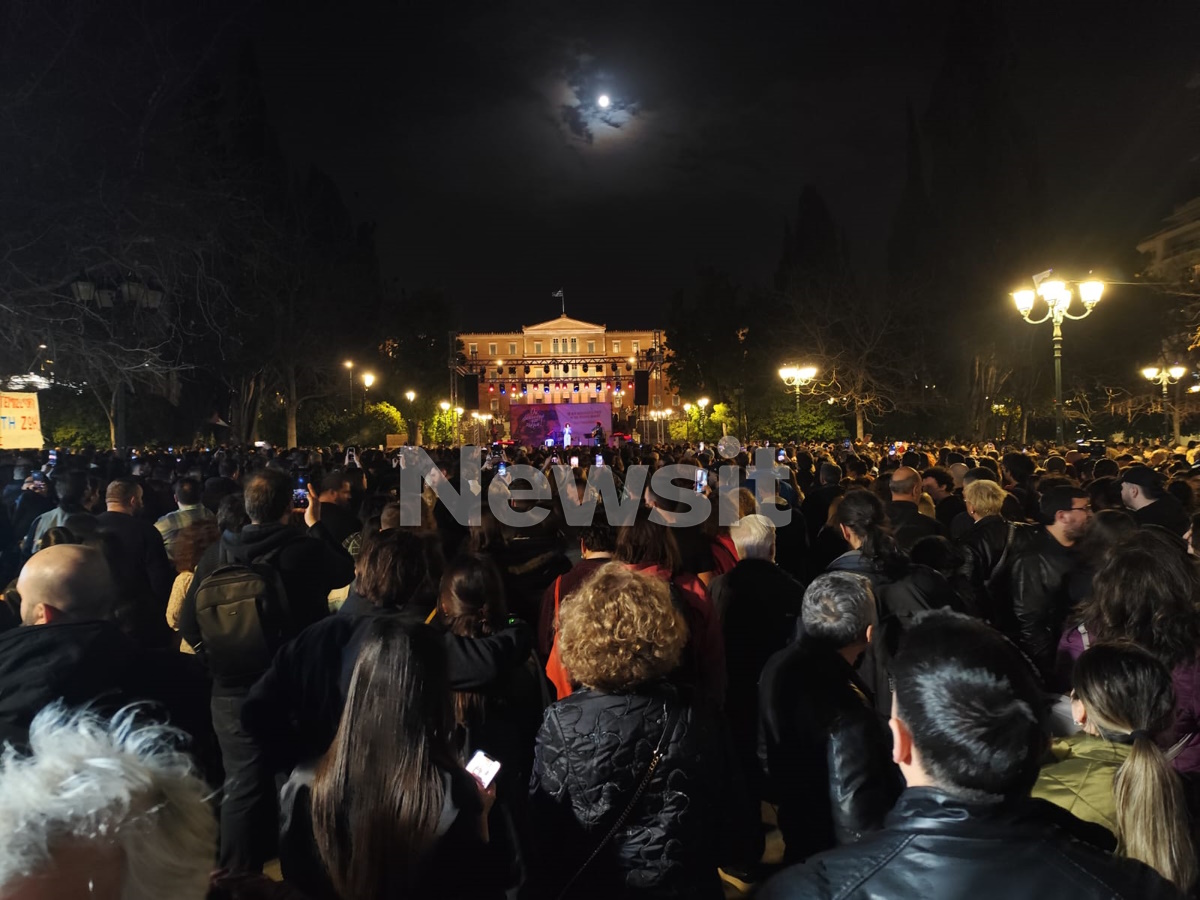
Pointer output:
x,y
65,581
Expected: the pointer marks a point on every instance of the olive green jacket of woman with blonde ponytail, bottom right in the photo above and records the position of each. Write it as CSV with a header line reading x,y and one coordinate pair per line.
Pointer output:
x,y
1081,778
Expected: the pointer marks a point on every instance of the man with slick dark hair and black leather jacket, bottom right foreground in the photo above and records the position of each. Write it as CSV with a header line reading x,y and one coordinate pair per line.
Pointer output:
x,y
969,731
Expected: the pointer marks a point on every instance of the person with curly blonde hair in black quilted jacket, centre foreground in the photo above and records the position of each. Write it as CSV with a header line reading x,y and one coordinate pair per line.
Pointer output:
x,y
596,748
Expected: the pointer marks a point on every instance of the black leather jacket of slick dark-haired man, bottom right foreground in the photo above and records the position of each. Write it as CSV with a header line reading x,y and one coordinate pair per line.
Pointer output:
x,y
935,848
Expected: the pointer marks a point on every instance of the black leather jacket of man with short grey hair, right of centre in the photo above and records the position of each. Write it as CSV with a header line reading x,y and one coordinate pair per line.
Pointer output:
x,y
829,753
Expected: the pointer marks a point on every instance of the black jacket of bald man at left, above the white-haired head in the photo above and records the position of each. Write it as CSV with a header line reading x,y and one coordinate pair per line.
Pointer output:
x,y
95,664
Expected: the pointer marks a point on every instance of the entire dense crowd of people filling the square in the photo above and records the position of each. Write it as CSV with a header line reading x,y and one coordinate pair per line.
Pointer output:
x,y
955,671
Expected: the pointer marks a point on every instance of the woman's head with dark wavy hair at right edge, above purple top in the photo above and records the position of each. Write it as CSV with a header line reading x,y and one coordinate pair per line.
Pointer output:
x,y
1147,592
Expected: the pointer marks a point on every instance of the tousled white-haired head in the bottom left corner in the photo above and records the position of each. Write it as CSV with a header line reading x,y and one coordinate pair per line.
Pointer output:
x,y
103,812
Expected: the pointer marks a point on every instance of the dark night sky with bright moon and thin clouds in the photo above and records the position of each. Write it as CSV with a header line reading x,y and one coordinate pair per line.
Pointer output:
x,y
470,134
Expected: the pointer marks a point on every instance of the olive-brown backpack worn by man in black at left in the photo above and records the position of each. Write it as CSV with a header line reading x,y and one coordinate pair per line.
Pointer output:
x,y
242,613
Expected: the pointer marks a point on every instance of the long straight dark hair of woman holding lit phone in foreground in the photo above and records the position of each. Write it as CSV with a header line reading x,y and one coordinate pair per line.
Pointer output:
x,y
379,791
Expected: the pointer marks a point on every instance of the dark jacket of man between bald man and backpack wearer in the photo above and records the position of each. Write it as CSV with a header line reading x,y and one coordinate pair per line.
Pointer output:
x,y
143,575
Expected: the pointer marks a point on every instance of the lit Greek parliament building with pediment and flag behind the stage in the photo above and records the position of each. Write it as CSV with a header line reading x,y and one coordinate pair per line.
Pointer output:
x,y
565,363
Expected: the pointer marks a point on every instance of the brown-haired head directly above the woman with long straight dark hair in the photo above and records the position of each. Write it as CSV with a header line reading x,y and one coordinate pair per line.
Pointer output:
x,y
399,567
